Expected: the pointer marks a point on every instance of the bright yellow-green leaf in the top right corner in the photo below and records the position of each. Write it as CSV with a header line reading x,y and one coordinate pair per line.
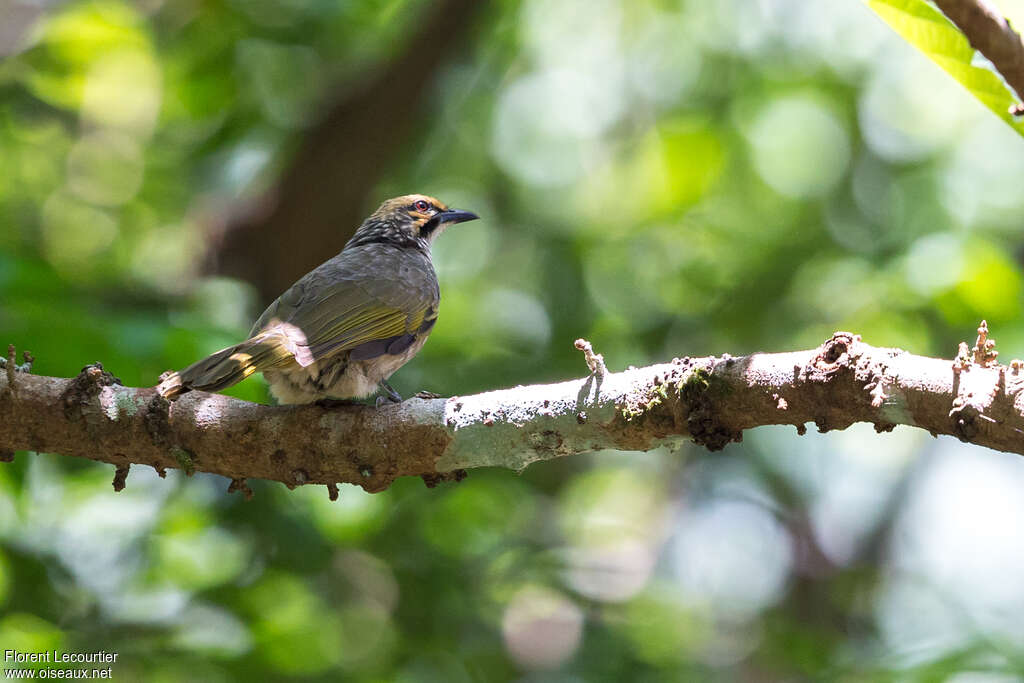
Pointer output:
x,y
926,28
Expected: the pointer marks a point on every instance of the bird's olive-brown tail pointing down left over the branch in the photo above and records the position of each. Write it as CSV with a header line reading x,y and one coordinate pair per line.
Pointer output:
x,y
274,348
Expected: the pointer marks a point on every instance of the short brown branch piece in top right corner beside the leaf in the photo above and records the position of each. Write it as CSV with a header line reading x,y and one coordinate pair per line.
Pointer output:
x,y
992,35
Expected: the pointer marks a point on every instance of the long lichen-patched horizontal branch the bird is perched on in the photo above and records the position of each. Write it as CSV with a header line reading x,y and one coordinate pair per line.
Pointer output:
x,y
711,401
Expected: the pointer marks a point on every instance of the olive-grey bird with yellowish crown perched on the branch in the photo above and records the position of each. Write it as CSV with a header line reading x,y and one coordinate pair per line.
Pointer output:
x,y
345,328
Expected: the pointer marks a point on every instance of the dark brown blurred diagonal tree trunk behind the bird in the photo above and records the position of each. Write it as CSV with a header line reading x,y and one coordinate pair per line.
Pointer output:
x,y
320,199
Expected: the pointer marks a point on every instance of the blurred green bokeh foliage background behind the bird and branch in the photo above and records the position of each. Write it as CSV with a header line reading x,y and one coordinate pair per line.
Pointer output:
x,y
665,179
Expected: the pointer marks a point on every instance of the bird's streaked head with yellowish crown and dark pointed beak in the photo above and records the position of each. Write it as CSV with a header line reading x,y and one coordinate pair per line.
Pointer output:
x,y
411,221
